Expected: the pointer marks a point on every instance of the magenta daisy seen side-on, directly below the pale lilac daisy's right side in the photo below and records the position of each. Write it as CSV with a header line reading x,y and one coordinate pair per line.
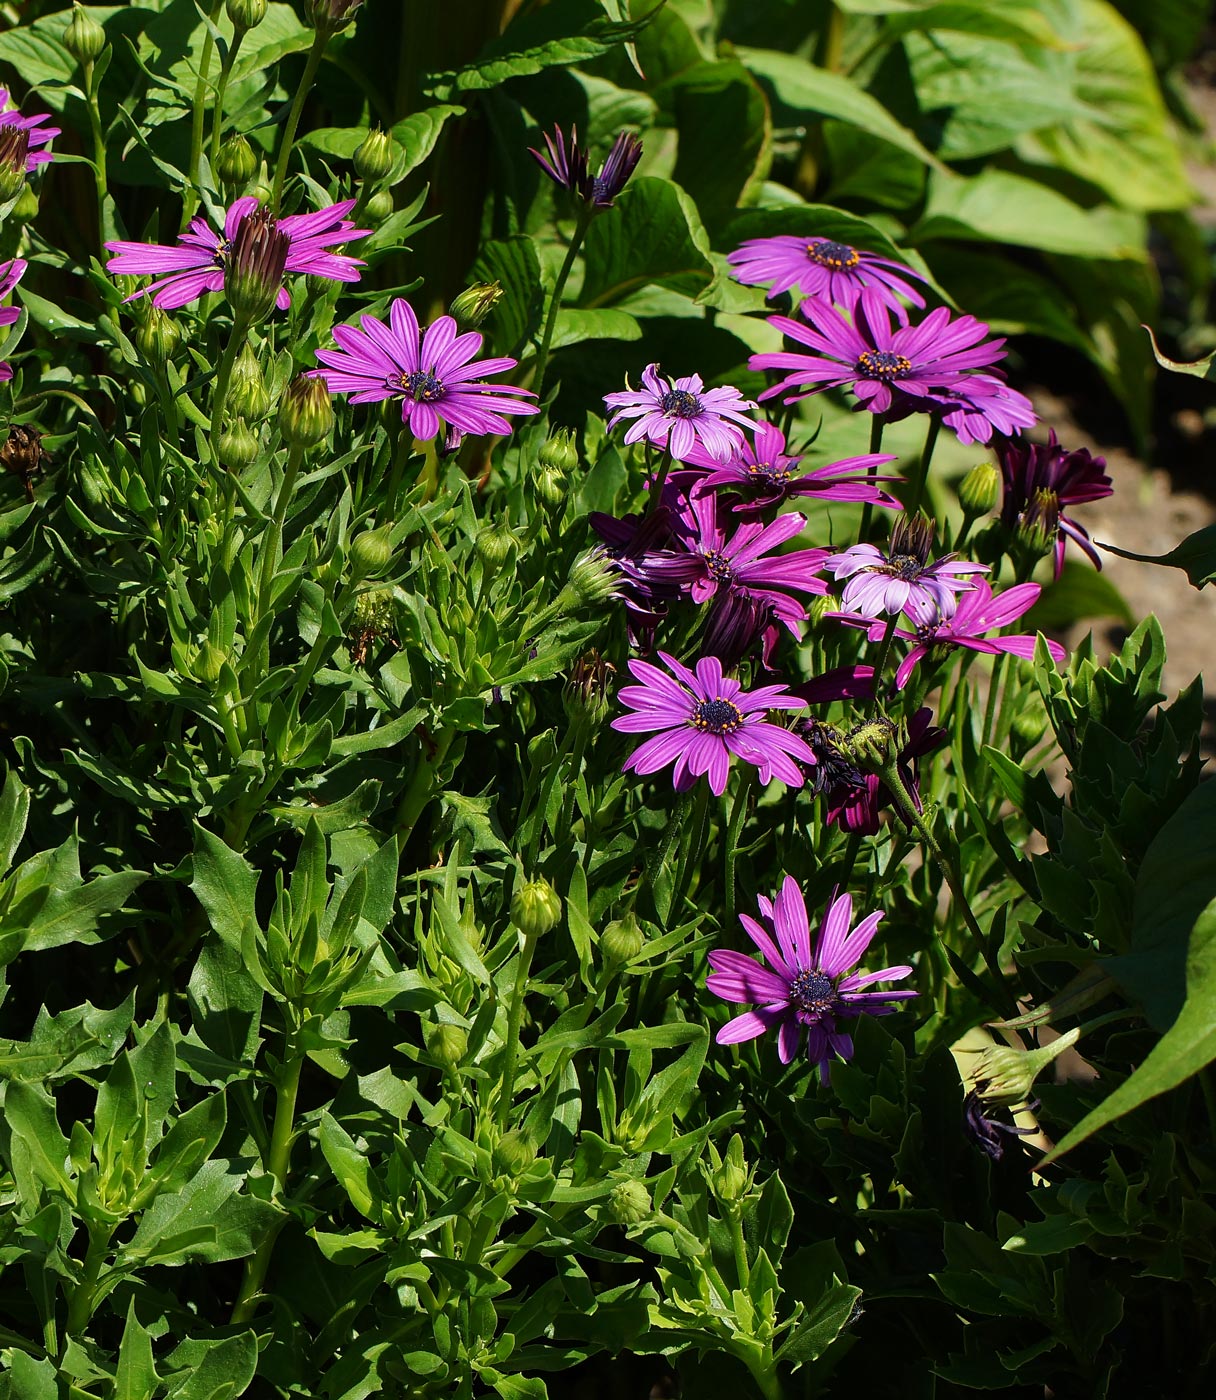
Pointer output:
x,y
766,474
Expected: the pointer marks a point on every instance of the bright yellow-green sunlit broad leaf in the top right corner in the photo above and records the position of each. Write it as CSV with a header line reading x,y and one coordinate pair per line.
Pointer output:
x,y
1123,143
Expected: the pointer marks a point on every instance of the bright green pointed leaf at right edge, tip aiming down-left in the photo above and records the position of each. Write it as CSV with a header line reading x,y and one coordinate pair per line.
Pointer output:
x,y
1186,1048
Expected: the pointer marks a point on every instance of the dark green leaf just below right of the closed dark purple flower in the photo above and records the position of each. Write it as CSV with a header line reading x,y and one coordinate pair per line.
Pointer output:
x,y
651,237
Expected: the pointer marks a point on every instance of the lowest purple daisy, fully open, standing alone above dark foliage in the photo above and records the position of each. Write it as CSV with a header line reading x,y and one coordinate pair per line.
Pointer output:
x,y
803,988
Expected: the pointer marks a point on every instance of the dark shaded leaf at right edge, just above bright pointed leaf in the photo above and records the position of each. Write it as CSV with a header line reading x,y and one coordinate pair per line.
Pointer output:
x,y
1175,885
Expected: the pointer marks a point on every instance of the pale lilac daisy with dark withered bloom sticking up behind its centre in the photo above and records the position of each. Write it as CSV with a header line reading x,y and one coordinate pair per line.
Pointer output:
x,y
903,580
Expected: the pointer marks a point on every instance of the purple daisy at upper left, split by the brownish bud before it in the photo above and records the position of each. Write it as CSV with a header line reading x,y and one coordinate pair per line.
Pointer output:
x,y
199,260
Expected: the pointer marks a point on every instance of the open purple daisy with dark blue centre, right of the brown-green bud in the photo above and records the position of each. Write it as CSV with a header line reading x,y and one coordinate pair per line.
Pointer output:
x,y
434,374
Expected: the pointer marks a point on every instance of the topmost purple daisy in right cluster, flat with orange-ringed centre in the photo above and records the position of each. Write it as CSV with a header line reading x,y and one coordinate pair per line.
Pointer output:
x,y
823,268
